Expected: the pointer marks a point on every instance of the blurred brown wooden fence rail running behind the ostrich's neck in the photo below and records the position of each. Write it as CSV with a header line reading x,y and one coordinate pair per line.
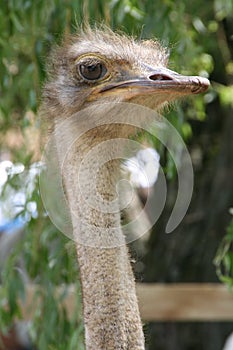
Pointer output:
x,y
168,302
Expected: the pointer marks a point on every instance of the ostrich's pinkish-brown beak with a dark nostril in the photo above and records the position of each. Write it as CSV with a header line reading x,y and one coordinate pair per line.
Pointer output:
x,y
160,81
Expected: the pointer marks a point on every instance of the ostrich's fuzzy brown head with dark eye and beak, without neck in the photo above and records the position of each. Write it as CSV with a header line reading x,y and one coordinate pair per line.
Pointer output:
x,y
98,66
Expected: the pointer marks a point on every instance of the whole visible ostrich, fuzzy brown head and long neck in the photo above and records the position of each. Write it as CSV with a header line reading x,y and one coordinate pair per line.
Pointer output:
x,y
92,68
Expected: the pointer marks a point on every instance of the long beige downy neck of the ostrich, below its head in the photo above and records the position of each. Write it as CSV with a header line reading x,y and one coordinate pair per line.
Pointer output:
x,y
111,315
